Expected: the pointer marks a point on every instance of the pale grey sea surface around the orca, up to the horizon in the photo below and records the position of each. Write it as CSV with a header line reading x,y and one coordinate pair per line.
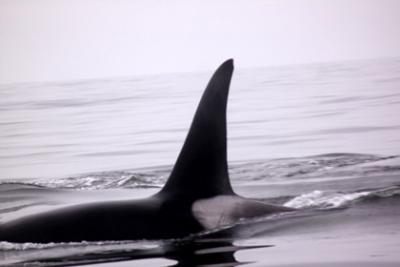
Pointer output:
x,y
322,138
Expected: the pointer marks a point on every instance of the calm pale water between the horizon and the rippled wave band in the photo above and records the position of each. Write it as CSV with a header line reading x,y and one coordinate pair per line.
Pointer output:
x,y
59,129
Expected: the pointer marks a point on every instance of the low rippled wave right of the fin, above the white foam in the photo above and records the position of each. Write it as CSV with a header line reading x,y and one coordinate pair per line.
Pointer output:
x,y
335,165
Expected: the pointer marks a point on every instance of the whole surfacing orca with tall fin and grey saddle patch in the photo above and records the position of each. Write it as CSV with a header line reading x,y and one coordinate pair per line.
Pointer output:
x,y
197,196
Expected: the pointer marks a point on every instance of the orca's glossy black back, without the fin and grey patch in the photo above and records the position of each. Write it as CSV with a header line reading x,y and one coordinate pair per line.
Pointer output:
x,y
157,217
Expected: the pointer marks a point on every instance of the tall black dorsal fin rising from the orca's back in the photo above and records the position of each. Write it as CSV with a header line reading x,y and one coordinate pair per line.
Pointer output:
x,y
201,169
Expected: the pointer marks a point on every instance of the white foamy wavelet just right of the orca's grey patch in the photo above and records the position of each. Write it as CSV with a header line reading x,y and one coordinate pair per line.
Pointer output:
x,y
333,200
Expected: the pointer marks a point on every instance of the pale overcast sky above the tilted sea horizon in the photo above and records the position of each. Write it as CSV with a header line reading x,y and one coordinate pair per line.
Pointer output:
x,y
44,40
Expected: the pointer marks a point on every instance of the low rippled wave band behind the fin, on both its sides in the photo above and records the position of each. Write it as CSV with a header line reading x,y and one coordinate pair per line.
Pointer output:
x,y
327,166
